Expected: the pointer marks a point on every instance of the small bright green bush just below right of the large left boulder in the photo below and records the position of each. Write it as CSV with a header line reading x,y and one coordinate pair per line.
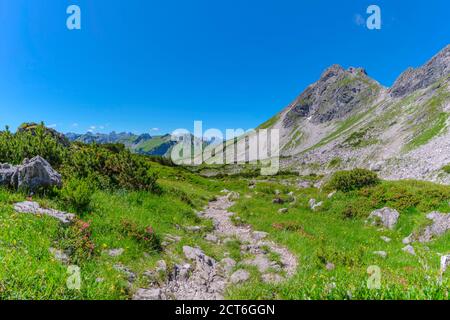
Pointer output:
x,y
76,194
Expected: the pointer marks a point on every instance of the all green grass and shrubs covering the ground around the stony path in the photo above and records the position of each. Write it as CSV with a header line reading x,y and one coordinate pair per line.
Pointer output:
x,y
137,203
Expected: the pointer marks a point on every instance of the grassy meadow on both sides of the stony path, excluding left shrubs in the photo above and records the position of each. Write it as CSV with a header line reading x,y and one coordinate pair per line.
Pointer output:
x,y
30,272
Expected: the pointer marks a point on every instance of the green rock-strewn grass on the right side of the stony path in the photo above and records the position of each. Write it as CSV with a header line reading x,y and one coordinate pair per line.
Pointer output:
x,y
317,237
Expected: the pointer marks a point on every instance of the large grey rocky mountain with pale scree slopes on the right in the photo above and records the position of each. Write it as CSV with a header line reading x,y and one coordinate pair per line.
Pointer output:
x,y
347,120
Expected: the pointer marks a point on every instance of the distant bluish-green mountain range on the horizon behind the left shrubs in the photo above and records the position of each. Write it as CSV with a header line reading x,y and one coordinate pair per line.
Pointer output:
x,y
142,144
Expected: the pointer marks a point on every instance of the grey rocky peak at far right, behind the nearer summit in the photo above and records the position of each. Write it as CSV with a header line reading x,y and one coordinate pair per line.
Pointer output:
x,y
415,79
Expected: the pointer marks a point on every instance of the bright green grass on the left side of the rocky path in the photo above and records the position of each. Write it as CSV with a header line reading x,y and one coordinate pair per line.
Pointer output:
x,y
30,272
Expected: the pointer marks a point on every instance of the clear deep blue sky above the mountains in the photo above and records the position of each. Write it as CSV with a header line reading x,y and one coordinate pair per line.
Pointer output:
x,y
138,65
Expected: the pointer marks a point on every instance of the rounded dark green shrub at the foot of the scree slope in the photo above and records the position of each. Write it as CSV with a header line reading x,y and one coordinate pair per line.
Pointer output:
x,y
352,180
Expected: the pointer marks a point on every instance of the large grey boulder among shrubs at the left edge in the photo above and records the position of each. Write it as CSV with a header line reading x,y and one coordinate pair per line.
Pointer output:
x,y
31,175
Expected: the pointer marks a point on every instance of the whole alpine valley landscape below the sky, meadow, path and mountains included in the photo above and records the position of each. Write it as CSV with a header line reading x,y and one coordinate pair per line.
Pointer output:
x,y
358,210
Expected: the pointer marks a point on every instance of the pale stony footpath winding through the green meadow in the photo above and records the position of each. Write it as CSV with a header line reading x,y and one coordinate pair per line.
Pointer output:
x,y
203,278
